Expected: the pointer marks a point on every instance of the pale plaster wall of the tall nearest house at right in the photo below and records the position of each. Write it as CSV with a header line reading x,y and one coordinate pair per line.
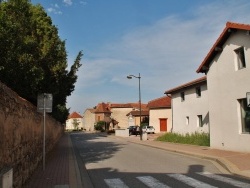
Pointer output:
x,y
226,86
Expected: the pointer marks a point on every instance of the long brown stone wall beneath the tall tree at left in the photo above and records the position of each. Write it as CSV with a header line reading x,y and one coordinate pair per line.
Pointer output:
x,y
21,135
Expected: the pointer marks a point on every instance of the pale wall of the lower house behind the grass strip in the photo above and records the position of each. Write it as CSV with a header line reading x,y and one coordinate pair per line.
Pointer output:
x,y
191,107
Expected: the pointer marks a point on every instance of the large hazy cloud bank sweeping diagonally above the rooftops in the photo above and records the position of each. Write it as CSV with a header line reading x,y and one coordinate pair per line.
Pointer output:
x,y
166,53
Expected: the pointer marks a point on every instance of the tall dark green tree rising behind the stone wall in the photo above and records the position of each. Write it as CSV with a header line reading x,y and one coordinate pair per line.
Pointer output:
x,y
33,58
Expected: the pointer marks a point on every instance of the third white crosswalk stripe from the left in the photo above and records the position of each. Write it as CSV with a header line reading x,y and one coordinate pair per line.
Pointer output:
x,y
190,181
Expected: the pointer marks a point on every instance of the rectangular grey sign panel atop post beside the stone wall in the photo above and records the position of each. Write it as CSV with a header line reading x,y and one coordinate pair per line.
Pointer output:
x,y
44,101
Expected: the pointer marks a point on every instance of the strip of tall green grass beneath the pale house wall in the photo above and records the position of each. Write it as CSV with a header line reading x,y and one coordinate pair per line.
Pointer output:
x,y
200,139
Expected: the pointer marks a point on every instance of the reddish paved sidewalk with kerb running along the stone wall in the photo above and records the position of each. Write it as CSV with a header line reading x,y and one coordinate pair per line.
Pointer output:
x,y
61,169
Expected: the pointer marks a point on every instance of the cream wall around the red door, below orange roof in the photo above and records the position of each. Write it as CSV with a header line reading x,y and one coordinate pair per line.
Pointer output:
x,y
156,114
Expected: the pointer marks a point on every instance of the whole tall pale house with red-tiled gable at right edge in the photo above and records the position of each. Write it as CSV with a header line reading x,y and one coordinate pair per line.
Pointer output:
x,y
227,66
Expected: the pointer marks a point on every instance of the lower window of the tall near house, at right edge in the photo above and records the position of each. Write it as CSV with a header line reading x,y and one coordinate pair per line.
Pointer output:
x,y
245,115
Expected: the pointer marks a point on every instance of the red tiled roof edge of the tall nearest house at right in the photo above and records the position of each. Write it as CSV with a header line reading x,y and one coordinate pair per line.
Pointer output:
x,y
230,26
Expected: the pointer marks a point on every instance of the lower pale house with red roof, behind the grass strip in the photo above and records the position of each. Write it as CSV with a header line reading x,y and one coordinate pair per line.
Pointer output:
x,y
190,107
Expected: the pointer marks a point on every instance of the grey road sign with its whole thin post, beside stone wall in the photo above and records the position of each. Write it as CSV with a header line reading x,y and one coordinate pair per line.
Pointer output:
x,y
44,104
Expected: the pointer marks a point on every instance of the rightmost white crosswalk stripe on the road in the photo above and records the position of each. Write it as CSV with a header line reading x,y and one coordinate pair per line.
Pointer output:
x,y
230,181
